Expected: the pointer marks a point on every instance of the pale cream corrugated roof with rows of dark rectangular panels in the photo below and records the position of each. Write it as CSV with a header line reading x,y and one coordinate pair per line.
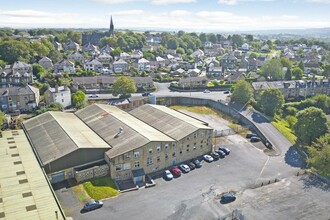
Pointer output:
x,y
23,185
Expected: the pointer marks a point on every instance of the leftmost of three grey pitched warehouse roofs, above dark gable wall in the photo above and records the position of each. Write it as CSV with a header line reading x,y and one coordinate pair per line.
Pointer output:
x,y
56,134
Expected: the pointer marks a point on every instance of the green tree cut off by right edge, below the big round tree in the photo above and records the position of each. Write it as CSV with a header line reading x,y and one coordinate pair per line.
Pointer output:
x,y
319,155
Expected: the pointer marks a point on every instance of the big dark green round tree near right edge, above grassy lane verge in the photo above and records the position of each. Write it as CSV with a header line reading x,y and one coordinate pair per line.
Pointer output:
x,y
311,124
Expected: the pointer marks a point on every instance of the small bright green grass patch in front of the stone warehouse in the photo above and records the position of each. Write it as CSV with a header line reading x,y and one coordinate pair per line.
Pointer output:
x,y
100,188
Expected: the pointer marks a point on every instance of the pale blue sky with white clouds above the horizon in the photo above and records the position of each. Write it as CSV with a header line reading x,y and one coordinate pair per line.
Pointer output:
x,y
193,15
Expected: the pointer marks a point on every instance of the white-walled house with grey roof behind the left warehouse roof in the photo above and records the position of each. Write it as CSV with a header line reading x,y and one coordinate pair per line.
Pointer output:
x,y
60,94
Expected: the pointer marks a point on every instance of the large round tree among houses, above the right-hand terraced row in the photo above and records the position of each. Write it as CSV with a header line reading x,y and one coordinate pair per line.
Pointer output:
x,y
272,69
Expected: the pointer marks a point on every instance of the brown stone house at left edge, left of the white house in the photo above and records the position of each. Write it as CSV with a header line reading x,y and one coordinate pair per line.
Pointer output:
x,y
19,99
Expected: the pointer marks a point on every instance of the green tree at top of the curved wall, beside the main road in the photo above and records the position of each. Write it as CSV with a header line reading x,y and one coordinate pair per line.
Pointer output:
x,y
242,92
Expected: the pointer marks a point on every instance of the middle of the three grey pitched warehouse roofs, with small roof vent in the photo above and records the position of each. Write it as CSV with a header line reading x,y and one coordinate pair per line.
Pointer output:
x,y
107,121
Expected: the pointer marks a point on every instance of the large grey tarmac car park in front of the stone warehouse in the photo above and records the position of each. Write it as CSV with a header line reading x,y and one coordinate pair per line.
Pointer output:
x,y
196,195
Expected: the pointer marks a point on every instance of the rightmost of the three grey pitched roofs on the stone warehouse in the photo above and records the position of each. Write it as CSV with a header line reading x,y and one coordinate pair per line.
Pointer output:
x,y
172,123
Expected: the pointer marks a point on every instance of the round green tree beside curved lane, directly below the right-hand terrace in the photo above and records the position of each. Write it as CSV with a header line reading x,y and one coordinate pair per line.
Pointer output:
x,y
270,101
